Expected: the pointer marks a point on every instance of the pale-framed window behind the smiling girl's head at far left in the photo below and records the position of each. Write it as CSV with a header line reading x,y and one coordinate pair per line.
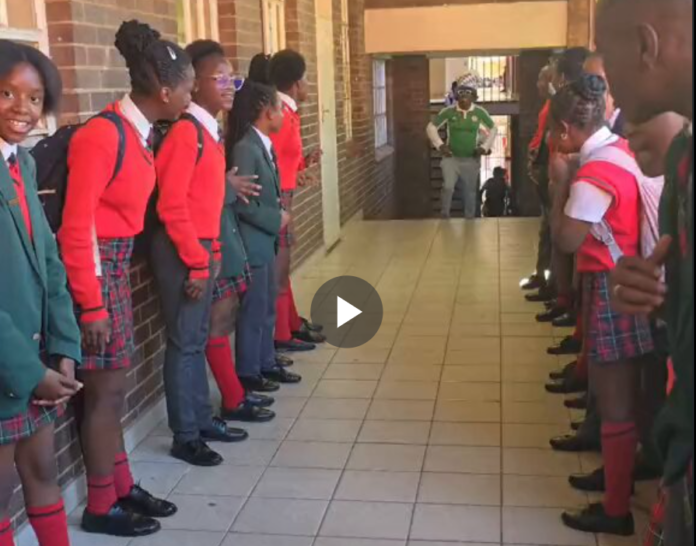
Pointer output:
x,y
25,21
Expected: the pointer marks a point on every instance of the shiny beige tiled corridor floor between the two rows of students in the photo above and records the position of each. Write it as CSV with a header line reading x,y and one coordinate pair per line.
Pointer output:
x,y
434,433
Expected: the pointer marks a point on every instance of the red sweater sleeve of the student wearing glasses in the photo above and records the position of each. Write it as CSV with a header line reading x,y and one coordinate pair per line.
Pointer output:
x,y
176,166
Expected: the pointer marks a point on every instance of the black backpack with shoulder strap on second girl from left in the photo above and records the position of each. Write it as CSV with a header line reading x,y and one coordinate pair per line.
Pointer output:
x,y
51,157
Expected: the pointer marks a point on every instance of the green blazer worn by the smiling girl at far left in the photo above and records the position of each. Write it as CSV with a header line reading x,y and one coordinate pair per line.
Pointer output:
x,y
35,307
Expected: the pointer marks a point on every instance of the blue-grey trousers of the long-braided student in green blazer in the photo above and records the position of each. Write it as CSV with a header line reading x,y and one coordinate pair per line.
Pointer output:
x,y
256,323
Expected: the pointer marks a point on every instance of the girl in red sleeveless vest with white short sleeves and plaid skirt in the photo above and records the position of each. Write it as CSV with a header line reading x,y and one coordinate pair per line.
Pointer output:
x,y
597,216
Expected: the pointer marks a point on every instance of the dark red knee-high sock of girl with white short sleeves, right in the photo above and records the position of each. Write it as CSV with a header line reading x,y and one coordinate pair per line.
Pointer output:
x,y
619,444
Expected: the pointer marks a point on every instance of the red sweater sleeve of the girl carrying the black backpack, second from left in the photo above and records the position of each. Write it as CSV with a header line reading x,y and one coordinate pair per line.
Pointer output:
x,y
91,162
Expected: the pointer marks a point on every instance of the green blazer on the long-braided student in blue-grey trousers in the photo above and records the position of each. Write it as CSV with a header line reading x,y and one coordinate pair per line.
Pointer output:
x,y
259,221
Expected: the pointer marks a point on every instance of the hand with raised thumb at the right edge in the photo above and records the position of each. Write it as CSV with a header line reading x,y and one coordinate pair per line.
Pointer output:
x,y
636,285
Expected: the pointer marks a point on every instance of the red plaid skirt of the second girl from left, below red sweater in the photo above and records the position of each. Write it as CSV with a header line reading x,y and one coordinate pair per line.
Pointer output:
x,y
116,292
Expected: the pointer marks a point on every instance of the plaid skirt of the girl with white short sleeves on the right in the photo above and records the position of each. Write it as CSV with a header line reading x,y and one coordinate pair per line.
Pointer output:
x,y
611,336
